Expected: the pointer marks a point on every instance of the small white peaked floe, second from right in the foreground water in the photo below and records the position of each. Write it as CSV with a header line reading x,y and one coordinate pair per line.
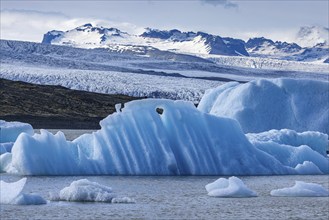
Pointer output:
x,y
231,187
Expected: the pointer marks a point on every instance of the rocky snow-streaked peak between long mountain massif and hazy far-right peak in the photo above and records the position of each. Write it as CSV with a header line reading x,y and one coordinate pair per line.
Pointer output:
x,y
264,47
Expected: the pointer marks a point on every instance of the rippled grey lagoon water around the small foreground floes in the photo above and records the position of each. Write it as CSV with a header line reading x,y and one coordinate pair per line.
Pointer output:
x,y
171,198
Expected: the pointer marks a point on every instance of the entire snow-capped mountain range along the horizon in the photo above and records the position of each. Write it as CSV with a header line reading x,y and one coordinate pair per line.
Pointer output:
x,y
196,43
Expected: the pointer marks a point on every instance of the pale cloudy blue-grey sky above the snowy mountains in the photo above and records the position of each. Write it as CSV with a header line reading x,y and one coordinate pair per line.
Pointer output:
x,y
277,19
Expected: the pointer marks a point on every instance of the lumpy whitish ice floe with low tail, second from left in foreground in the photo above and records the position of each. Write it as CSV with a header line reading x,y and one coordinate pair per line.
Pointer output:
x,y
84,190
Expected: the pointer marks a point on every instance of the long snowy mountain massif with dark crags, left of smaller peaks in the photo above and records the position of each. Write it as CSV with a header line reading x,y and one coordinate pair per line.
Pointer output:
x,y
88,36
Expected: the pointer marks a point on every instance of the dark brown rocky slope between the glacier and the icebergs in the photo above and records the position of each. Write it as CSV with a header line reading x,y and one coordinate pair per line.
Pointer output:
x,y
55,106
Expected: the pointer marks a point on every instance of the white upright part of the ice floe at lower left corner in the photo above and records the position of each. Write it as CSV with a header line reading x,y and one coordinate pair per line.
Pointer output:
x,y
9,191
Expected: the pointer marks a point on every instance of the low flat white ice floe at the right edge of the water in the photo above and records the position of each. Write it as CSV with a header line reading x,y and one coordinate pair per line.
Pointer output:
x,y
302,189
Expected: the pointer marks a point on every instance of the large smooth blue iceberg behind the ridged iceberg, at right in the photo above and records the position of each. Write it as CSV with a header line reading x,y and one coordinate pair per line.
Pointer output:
x,y
262,105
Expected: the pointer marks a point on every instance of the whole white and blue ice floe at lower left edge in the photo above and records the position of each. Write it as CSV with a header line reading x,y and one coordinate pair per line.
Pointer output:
x,y
11,193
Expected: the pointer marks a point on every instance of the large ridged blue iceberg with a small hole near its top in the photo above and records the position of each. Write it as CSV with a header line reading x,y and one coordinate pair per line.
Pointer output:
x,y
157,137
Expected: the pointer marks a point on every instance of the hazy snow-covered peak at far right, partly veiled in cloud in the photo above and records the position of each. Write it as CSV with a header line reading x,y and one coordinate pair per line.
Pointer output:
x,y
310,36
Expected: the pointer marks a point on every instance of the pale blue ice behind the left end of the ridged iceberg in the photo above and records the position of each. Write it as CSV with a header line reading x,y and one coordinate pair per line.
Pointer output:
x,y
9,131
